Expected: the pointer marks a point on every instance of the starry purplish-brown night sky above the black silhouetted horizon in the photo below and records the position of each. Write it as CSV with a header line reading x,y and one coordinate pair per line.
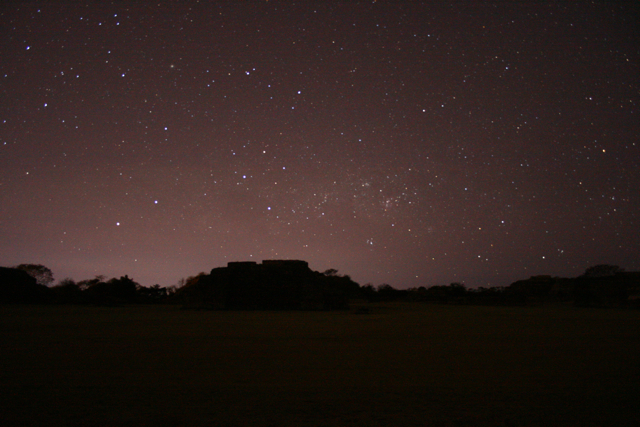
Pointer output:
x,y
408,143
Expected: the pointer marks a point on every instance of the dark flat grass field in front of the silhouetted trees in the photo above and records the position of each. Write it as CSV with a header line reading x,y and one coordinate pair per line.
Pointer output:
x,y
400,365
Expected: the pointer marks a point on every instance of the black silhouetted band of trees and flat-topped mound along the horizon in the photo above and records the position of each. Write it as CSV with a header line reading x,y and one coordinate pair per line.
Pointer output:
x,y
291,286
